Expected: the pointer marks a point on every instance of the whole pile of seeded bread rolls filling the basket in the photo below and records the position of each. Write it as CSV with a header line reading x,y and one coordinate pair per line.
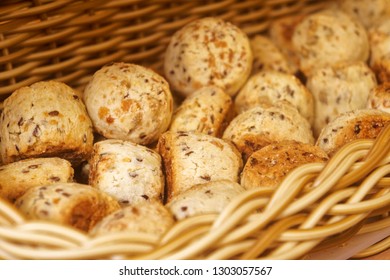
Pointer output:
x,y
138,150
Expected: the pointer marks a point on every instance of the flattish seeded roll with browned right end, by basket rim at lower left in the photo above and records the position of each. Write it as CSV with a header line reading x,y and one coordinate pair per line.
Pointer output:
x,y
78,205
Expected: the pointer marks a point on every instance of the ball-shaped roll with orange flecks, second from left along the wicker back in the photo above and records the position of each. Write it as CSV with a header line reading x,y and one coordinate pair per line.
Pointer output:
x,y
129,102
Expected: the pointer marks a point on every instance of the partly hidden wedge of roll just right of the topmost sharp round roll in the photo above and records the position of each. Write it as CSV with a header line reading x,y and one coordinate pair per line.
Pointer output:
x,y
267,56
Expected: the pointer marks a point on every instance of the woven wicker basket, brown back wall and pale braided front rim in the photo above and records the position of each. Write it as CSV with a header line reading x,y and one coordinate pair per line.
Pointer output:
x,y
317,206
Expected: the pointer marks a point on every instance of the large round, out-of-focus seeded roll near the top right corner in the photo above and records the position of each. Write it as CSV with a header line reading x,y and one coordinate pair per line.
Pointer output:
x,y
327,38
